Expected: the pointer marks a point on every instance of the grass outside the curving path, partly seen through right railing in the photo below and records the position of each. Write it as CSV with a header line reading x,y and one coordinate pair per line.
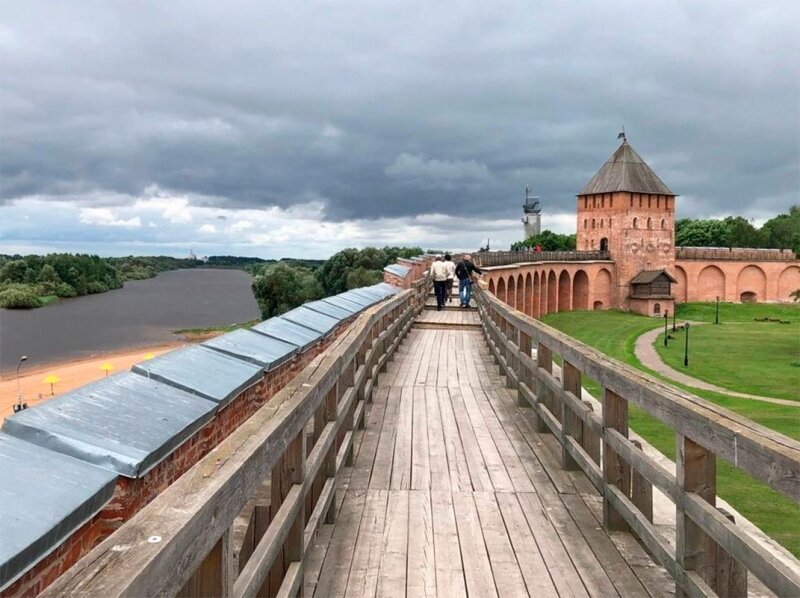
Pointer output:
x,y
615,334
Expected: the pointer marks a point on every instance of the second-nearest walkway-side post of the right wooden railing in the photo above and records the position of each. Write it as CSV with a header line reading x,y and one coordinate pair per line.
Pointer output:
x,y
616,472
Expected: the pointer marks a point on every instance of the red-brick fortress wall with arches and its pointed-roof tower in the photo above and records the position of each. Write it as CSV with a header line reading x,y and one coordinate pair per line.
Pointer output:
x,y
628,212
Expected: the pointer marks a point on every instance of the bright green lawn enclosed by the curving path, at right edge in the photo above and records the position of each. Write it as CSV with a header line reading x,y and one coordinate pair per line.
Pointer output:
x,y
761,358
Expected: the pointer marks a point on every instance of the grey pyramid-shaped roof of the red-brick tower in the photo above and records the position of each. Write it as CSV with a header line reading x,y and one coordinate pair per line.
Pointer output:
x,y
625,171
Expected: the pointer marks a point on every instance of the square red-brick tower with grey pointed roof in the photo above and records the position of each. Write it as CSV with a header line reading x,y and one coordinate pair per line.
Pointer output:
x,y
627,210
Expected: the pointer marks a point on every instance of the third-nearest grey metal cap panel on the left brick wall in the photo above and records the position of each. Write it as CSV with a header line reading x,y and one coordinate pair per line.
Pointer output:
x,y
202,371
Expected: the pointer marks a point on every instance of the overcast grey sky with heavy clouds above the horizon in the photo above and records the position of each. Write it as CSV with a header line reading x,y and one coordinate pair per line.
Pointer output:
x,y
267,129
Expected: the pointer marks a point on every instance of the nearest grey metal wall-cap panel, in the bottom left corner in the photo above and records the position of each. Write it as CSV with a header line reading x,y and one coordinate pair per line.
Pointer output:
x,y
44,497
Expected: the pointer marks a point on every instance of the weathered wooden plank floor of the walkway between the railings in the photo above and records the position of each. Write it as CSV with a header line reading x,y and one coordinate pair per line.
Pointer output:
x,y
452,493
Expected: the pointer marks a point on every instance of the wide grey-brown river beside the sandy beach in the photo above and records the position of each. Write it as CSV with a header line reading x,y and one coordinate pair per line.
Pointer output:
x,y
142,313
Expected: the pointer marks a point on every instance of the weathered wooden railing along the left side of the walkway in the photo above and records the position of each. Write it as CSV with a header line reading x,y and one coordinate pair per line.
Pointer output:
x,y
182,543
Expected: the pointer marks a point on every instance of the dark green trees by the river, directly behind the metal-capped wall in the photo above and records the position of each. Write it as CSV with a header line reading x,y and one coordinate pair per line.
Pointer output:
x,y
280,287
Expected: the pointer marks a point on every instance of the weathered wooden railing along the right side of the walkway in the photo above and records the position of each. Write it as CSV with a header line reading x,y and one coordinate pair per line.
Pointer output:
x,y
711,554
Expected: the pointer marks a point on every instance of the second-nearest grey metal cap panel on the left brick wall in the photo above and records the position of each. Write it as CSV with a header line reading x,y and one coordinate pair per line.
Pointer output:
x,y
125,423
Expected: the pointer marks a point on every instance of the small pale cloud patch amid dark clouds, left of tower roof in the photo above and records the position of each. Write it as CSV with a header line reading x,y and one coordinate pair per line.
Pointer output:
x,y
446,174
